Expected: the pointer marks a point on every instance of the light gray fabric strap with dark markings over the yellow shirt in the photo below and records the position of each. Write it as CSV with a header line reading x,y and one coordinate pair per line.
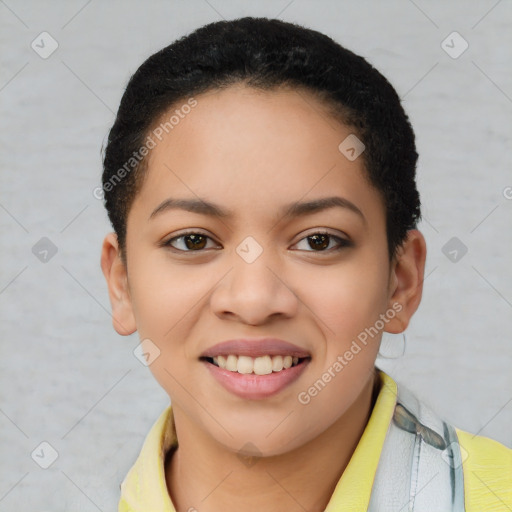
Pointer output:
x,y
420,469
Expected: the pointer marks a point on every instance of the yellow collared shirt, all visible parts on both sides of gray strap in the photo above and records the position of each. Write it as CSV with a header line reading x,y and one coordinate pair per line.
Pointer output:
x,y
487,468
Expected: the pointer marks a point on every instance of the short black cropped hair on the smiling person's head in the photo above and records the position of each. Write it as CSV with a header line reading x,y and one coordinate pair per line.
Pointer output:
x,y
266,54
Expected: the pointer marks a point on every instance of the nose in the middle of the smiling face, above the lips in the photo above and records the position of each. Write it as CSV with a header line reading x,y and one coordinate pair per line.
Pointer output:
x,y
254,292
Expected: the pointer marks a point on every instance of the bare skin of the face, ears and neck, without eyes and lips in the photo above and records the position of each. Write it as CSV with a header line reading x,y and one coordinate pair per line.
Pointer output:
x,y
253,152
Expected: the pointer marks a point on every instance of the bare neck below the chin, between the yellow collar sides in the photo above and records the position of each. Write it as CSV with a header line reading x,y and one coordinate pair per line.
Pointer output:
x,y
201,477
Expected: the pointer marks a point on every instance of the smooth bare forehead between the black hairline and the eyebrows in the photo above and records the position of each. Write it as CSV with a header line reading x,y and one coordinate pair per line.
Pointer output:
x,y
251,148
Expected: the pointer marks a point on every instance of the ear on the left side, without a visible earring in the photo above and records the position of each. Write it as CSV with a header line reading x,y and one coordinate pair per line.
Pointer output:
x,y
115,273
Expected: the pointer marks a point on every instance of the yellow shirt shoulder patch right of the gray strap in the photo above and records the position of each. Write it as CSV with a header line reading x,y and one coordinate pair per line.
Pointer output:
x,y
487,469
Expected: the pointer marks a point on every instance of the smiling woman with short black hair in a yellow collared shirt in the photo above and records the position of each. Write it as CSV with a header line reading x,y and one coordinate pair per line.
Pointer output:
x,y
260,180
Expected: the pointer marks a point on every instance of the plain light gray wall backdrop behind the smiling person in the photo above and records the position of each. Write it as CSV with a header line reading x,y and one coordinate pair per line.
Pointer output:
x,y
69,379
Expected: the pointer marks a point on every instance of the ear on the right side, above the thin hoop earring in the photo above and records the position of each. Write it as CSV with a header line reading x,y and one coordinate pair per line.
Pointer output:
x,y
406,281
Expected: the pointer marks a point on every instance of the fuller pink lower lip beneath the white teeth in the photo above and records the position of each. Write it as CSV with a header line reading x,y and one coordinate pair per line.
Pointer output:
x,y
256,387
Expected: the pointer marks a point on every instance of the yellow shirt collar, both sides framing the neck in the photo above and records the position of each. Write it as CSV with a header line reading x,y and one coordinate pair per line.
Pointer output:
x,y
144,489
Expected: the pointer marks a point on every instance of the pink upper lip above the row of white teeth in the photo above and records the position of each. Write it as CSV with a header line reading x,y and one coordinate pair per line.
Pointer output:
x,y
256,347
